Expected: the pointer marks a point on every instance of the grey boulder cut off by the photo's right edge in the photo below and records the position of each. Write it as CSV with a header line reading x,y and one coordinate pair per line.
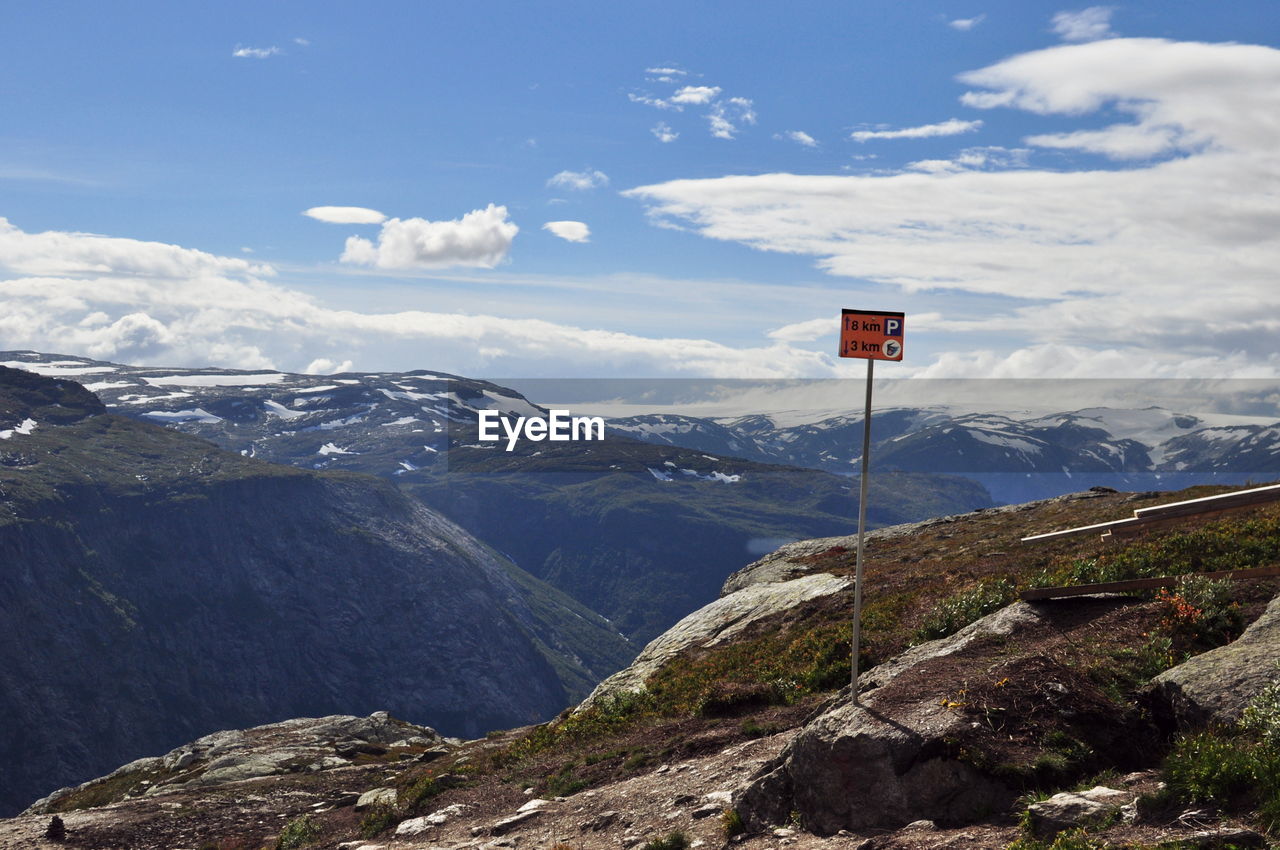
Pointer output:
x,y
1215,687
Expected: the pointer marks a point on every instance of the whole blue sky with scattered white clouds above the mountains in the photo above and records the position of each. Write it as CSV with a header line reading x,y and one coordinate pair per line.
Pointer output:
x,y
660,190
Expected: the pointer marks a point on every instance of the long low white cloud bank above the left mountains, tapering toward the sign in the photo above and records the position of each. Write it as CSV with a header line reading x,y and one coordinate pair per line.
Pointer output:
x,y
208,310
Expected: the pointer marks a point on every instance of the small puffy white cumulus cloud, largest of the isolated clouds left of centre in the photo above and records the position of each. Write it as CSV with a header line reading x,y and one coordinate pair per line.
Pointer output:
x,y
479,239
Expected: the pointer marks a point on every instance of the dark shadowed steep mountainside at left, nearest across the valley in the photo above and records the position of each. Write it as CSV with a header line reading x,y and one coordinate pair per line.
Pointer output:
x,y
154,589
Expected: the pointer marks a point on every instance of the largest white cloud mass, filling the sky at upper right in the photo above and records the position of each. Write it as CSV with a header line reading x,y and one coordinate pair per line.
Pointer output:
x,y
1167,263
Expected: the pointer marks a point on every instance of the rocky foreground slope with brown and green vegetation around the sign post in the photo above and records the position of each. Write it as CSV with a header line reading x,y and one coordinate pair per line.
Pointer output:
x,y
1032,721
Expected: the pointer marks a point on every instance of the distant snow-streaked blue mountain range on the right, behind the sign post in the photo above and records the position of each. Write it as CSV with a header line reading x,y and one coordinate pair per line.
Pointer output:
x,y
1017,456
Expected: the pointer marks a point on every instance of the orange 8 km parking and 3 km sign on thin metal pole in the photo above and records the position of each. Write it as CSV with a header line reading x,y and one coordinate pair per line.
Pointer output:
x,y
868,335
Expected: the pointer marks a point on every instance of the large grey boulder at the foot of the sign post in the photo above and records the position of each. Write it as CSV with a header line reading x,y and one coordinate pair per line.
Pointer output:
x,y
886,762
